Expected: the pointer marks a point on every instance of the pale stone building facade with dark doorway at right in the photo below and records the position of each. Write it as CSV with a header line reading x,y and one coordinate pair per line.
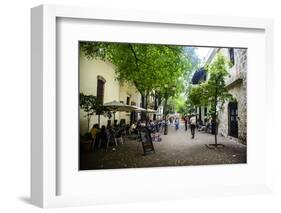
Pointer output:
x,y
233,115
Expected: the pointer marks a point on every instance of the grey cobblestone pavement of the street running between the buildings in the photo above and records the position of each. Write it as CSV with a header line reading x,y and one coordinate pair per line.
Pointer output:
x,y
176,149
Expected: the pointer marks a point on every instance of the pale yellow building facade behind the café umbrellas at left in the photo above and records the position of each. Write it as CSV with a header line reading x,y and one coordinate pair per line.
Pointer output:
x,y
98,78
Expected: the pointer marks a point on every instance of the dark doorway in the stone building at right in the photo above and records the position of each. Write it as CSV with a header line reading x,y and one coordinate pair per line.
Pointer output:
x,y
233,119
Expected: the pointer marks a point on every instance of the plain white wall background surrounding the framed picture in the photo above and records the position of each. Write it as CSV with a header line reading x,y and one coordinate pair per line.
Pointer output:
x,y
15,105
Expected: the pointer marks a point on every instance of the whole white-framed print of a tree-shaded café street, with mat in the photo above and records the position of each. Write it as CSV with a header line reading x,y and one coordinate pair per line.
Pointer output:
x,y
129,106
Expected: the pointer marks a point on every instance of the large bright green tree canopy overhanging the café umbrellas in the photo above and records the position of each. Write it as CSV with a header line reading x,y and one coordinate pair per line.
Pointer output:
x,y
148,66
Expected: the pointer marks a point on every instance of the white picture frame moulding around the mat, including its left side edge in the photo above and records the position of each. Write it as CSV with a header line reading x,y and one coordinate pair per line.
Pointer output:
x,y
44,154
